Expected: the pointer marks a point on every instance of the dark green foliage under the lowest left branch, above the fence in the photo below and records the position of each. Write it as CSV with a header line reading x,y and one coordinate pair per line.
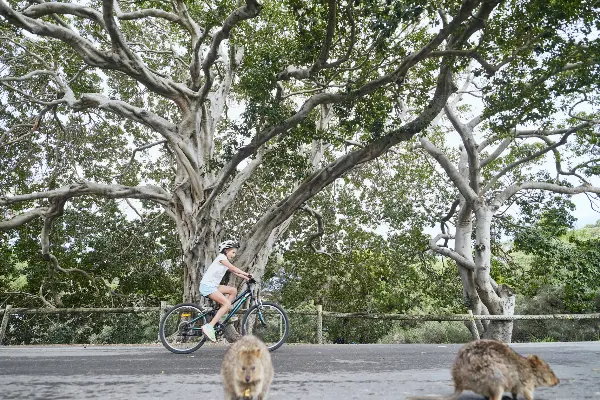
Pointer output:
x,y
139,259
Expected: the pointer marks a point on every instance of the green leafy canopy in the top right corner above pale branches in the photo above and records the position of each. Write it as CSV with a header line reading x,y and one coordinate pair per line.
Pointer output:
x,y
552,35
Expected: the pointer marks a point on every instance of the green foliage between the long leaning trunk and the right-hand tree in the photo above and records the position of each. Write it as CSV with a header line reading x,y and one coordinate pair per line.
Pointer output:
x,y
378,260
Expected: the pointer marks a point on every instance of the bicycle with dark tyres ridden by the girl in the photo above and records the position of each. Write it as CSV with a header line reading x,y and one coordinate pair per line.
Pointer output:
x,y
180,330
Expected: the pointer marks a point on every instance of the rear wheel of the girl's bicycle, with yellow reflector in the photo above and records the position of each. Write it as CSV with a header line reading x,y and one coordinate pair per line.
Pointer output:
x,y
180,329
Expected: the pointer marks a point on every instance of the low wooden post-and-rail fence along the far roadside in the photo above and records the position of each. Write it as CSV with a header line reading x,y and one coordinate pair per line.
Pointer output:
x,y
319,313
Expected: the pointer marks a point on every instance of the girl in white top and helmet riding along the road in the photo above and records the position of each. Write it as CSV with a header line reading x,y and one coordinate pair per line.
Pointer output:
x,y
210,285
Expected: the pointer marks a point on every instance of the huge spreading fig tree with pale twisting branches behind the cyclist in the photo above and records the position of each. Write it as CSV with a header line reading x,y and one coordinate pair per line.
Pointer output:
x,y
215,89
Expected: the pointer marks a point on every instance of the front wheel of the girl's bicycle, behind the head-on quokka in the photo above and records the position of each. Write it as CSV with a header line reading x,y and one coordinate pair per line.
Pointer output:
x,y
268,322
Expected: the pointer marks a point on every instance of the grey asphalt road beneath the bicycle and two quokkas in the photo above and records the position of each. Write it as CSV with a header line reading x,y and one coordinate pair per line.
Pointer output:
x,y
301,372
